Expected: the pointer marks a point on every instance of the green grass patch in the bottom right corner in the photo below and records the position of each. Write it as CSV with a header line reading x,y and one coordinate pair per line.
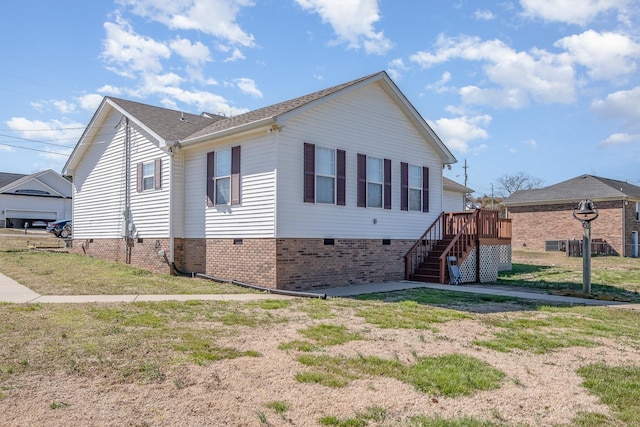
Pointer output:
x,y
616,386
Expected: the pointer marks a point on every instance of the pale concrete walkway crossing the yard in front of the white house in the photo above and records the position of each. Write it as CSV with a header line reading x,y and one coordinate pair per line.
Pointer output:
x,y
13,292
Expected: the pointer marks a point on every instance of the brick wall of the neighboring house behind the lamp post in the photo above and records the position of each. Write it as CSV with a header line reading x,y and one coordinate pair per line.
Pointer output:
x,y
533,225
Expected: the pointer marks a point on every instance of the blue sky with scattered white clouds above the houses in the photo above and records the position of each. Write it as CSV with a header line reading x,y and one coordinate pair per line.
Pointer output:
x,y
544,87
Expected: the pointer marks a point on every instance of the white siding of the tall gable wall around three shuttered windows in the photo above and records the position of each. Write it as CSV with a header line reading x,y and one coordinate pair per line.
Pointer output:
x,y
366,121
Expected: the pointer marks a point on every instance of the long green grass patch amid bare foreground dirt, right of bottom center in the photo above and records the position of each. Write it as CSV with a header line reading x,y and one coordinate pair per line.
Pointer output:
x,y
450,375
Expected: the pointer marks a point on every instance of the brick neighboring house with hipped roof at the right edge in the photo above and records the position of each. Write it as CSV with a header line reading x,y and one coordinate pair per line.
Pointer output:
x,y
545,215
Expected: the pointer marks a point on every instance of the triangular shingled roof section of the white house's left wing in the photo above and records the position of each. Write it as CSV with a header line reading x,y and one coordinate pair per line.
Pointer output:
x,y
168,124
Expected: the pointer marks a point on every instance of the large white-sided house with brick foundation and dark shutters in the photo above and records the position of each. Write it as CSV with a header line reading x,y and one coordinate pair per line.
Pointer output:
x,y
328,189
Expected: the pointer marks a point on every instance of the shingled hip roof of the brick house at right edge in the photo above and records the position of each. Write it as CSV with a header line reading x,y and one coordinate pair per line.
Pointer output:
x,y
575,189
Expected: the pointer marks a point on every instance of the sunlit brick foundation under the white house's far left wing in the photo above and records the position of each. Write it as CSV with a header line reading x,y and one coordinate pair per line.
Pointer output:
x,y
144,253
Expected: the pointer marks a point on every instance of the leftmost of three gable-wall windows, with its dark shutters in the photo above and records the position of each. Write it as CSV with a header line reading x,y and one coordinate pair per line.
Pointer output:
x,y
324,175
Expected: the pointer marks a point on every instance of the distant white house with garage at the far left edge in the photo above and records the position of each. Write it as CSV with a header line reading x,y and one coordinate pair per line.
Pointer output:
x,y
37,198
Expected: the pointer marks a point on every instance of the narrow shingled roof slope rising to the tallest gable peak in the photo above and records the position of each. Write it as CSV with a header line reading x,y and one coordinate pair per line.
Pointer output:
x,y
273,110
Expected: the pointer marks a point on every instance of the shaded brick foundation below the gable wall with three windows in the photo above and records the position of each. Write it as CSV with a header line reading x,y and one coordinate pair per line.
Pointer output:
x,y
309,263
